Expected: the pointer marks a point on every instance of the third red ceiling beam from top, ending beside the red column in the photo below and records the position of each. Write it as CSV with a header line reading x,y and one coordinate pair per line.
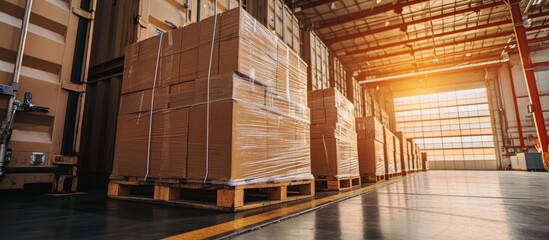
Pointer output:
x,y
396,44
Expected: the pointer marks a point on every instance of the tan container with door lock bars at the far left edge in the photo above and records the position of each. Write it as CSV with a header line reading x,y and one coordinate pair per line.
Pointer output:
x,y
54,69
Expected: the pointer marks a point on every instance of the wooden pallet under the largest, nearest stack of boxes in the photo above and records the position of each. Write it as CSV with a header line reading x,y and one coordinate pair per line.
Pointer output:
x,y
214,197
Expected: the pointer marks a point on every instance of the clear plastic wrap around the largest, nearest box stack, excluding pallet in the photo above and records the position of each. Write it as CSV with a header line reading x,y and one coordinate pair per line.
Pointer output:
x,y
257,132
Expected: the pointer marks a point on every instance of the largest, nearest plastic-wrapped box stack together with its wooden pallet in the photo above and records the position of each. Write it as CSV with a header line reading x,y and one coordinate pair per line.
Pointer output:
x,y
227,134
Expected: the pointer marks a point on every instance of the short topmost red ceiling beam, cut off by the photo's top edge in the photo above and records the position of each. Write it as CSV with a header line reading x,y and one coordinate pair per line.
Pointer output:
x,y
365,14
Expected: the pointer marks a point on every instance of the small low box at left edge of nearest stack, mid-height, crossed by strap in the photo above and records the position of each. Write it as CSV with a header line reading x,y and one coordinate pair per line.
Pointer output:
x,y
141,101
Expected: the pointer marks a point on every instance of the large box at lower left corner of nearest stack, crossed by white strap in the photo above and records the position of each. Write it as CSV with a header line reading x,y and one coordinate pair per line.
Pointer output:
x,y
168,145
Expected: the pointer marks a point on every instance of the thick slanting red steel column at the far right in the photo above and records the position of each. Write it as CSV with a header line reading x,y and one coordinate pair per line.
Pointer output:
x,y
528,68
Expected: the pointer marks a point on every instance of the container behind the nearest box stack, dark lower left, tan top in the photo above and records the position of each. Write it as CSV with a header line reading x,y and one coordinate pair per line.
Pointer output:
x,y
122,23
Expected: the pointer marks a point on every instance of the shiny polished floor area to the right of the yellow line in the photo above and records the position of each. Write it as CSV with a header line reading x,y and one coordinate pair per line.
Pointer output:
x,y
436,205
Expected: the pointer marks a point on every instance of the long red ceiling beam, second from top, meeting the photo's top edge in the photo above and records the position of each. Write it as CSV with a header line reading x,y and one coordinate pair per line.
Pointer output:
x,y
331,41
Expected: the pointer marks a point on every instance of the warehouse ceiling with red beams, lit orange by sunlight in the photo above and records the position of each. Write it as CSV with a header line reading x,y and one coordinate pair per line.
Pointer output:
x,y
378,38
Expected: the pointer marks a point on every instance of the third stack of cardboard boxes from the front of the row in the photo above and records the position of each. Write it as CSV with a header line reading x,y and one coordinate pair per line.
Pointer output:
x,y
371,151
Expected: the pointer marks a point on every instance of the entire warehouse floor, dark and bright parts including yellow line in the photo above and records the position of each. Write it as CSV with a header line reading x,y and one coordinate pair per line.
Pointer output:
x,y
432,205
